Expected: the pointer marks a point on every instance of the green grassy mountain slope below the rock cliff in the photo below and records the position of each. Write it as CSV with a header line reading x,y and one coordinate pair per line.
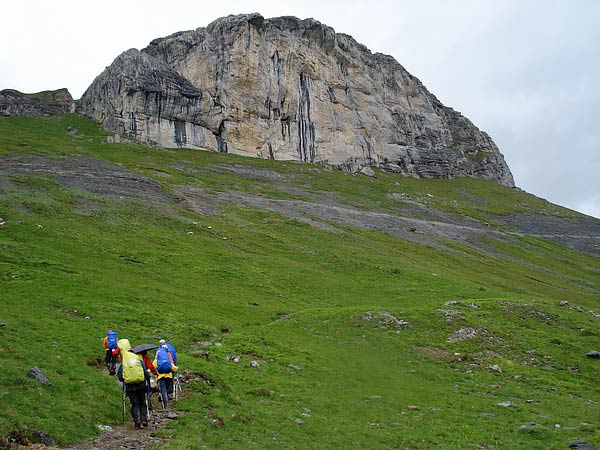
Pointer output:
x,y
291,296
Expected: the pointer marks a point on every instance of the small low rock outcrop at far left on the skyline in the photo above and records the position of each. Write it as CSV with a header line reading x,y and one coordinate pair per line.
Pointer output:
x,y
15,103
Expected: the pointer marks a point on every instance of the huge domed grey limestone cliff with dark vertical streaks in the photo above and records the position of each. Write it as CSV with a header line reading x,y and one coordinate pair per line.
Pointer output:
x,y
288,89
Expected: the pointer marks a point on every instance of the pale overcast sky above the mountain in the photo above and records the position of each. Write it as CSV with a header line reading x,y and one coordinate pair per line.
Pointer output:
x,y
525,71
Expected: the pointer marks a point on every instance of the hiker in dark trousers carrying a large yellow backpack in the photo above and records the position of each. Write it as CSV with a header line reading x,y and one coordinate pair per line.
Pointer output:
x,y
132,373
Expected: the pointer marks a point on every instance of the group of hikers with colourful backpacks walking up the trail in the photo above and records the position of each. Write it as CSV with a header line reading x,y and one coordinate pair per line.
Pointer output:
x,y
140,375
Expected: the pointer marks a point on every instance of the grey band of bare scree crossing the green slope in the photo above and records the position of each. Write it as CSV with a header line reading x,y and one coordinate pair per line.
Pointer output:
x,y
414,222
